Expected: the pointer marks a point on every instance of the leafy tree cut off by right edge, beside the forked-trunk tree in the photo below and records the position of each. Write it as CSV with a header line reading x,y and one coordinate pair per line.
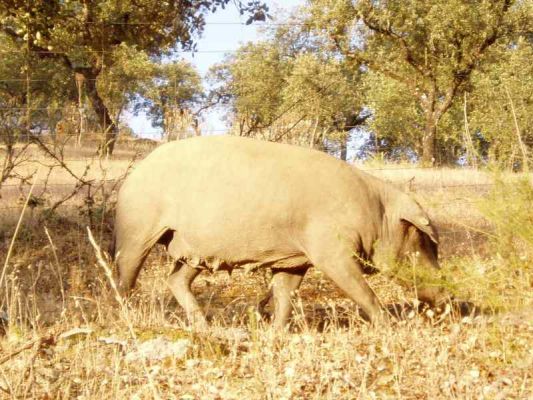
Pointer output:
x,y
500,106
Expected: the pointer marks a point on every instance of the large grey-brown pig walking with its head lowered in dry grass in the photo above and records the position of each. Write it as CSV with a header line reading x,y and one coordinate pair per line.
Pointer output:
x,y
227,202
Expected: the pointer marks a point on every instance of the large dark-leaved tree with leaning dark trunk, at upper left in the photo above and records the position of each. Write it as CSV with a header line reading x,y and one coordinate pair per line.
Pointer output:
x,y
84,35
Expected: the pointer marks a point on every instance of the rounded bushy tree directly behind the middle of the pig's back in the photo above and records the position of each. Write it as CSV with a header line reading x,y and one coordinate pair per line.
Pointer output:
x,y
286,88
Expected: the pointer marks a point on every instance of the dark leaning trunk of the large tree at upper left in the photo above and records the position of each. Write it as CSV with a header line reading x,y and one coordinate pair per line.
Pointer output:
x,y
107,125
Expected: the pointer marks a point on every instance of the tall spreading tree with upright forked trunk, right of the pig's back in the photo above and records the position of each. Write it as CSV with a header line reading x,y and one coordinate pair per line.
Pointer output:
x,y
430,49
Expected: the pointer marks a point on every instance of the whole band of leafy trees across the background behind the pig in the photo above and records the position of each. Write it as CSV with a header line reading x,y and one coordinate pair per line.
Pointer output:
x,y
440,82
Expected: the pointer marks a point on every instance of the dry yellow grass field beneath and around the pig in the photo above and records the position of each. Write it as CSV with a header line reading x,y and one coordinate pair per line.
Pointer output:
x,y
64,334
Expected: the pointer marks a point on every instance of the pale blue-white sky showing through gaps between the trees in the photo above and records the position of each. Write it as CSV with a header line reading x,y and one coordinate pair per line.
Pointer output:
x,y
224,32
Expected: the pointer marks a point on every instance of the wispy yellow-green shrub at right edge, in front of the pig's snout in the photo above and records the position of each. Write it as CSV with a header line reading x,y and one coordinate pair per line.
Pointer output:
x,y
503,280
